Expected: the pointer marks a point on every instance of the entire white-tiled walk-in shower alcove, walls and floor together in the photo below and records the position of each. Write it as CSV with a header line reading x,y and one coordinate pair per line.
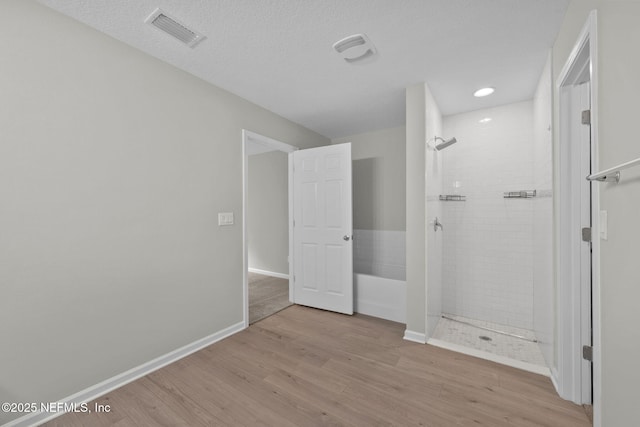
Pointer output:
x,y
485,263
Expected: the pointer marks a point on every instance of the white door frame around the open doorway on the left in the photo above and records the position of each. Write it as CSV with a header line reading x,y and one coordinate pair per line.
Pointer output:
x,y
270,144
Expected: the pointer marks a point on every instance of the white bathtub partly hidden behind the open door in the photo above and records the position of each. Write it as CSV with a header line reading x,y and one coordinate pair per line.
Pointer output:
x,y
380,297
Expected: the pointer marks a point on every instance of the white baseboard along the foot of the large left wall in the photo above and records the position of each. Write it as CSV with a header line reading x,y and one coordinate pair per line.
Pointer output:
x,y
97,390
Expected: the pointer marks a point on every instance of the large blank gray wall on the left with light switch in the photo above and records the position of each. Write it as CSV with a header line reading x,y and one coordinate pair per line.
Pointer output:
x,y
113,167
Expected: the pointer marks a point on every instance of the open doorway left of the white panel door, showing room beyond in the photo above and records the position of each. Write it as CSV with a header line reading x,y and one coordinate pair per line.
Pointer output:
x,y
266,226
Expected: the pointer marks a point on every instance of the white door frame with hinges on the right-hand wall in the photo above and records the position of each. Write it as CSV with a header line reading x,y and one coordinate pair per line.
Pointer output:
x,y
582,63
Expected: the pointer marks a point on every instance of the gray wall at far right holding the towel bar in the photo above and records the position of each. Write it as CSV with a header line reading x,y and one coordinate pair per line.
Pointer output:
x,y
618,89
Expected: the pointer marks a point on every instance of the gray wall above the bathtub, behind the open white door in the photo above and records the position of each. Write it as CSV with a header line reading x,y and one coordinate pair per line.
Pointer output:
x,y
378,179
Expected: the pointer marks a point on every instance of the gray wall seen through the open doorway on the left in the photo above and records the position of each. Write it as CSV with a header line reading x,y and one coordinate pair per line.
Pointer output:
x,y
268,212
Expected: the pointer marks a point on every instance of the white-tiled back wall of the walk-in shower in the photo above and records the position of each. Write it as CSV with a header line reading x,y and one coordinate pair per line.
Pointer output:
x,y
487,239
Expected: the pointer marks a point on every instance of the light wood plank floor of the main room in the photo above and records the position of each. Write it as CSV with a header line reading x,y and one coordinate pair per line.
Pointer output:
x,y
306,367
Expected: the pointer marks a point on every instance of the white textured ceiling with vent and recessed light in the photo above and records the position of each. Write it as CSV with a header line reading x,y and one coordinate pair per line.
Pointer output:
x,y
278,53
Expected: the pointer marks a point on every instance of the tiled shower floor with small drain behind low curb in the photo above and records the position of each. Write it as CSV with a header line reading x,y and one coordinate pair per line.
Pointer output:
x,y
500,345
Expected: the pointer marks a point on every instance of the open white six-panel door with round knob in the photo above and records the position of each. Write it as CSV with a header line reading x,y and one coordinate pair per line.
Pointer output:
x,y
322,228
